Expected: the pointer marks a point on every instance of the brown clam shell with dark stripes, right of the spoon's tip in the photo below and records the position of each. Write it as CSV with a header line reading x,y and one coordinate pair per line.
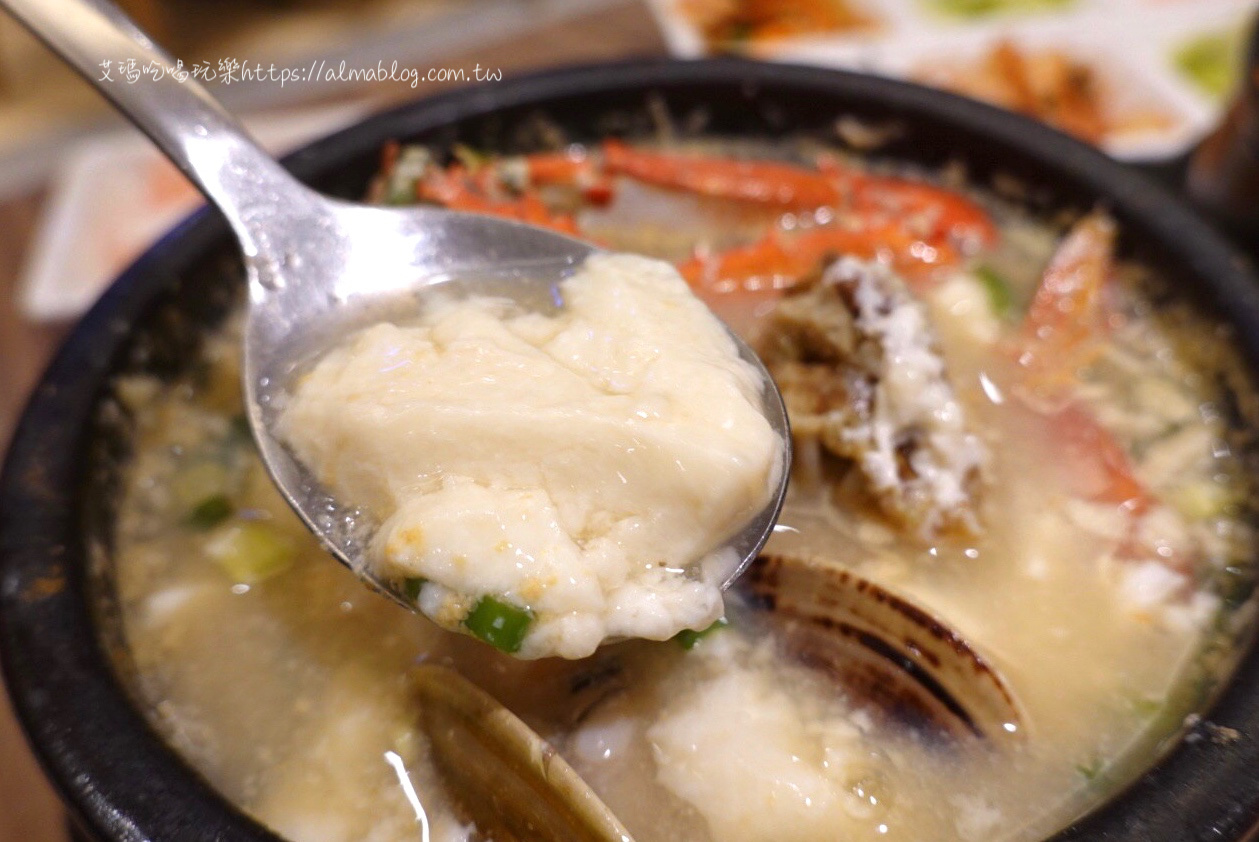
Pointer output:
x,y
883,649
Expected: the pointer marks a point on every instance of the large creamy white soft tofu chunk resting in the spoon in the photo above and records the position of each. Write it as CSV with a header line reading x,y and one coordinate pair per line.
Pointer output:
x,y
577,466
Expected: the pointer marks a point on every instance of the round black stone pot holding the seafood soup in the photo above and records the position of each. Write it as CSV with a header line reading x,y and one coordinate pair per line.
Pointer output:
x,y
62,650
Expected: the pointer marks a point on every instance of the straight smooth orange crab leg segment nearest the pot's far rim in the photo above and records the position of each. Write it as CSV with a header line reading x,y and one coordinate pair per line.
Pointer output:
x,y
761,182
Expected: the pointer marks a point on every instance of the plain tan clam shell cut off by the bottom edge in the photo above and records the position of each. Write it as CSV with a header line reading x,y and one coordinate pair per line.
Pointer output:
x,y
502,773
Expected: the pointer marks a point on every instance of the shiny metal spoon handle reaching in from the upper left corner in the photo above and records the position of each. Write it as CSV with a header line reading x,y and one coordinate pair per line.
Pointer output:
x,y
169,105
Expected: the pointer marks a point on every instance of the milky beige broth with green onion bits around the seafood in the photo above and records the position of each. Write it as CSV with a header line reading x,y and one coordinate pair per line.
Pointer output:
x,y
286,684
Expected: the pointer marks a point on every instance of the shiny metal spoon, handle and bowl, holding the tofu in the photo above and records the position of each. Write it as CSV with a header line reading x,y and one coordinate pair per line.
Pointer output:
x,y
319,267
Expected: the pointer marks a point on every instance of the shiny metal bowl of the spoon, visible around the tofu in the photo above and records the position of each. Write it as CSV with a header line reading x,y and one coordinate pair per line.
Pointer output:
x,y
385,264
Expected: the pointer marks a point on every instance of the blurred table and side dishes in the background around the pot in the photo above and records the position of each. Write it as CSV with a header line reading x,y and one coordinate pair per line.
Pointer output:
x,y
81,194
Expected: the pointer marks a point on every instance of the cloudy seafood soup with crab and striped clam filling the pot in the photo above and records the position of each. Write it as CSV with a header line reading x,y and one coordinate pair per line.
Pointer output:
x,y
1004,451
